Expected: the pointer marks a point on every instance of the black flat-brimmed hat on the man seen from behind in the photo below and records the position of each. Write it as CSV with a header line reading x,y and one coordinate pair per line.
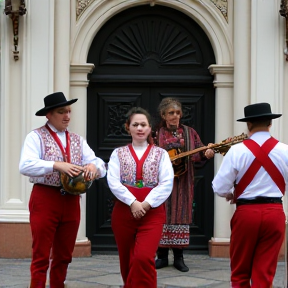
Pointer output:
x,y
258,111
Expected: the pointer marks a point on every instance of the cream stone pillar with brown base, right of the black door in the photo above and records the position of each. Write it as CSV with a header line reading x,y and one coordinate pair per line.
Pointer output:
x,y
223,82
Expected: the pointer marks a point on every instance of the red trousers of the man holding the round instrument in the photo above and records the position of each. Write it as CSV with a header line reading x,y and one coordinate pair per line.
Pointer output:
x,y
54,221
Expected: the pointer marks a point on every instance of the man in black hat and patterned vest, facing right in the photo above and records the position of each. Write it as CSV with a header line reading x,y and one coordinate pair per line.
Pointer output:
x,y
48,153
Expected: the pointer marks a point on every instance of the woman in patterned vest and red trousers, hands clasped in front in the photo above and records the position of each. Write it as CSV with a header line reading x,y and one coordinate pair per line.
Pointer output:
x,y
140,175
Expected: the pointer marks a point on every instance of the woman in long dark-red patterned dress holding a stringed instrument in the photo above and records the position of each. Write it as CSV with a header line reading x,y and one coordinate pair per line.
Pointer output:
x,y
177,138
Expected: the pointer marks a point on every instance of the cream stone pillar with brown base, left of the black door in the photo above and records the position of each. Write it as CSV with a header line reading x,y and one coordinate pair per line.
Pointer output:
x,y
78,89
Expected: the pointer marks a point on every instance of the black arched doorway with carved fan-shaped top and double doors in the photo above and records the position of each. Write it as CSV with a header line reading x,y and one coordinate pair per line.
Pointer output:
x,y
142,55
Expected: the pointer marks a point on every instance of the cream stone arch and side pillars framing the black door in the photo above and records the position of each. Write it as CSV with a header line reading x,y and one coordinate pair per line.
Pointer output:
x,y
207,17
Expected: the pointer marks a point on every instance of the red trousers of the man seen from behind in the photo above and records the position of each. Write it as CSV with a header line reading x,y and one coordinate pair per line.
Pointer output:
x,y
257,233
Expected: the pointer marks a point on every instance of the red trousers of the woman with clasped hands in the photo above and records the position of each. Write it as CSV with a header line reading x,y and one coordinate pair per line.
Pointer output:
x,y
137,242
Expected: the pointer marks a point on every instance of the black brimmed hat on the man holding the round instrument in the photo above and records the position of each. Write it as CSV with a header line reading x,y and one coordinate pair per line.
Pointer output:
x,y
54,100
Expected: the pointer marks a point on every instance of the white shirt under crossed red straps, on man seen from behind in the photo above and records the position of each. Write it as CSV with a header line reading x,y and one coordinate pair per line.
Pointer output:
x,y
239,158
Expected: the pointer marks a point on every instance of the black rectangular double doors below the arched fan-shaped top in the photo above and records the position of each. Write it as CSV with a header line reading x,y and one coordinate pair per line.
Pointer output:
x,y
107,107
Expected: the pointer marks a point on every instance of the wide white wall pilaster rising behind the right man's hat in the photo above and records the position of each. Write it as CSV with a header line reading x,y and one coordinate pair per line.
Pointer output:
x,y
267,59
